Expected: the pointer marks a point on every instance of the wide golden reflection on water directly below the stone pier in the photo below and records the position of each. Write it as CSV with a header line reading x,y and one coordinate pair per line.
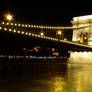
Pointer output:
x,y
79,76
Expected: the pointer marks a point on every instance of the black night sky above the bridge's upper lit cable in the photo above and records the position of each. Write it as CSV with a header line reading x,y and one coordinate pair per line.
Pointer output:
x,y
46,12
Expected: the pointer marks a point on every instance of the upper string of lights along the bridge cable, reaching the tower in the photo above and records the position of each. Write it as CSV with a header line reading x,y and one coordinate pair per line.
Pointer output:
x,y
40,27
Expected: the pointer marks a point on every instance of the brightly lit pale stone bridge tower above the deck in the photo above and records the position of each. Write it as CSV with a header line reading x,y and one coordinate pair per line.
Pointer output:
x,y
82,32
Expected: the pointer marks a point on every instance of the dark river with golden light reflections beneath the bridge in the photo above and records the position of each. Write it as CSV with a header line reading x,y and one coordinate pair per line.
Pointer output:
x,y
45,77
